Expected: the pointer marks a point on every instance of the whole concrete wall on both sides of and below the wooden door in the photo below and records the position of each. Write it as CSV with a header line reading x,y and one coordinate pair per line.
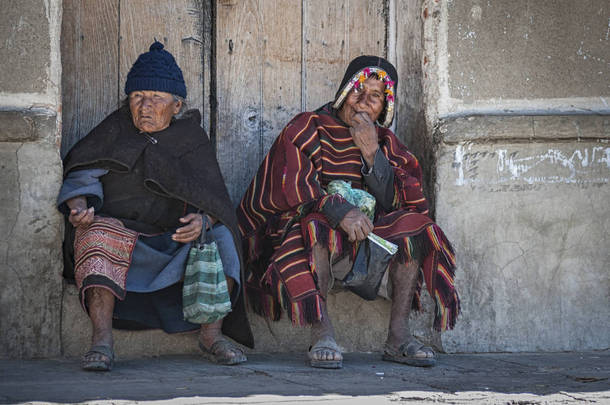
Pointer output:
x,y
513,130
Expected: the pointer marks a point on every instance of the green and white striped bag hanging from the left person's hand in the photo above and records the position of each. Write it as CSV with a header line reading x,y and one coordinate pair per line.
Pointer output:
x,y
205,294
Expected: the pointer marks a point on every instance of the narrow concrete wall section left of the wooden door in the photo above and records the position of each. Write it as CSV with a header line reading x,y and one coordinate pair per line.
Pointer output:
x,y
30,175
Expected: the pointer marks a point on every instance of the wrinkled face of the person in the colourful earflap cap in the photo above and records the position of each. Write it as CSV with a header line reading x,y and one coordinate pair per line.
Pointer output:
x,y
369,98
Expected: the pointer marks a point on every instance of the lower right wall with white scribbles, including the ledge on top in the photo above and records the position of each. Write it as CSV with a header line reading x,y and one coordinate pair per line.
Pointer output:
x,y
525,200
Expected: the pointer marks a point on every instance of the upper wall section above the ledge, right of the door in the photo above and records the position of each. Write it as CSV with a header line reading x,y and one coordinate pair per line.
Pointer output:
x,y
522,56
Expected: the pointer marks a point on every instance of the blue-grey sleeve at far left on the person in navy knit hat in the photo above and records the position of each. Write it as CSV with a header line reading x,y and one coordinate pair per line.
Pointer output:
x,y
82,183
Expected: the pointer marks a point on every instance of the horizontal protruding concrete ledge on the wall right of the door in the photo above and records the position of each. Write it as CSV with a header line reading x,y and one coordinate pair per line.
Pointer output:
x,y
524,128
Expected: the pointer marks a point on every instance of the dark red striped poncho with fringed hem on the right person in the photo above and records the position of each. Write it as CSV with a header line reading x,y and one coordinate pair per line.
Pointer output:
x,y
280,219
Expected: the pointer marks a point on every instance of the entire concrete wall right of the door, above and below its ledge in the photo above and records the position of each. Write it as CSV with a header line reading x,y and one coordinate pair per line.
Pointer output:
x,y
518,95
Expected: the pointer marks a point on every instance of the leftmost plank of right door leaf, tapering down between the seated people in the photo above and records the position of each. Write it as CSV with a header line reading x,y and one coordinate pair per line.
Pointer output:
x,y
239,92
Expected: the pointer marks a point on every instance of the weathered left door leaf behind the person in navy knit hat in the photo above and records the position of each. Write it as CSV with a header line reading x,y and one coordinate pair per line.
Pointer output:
x,y
100,41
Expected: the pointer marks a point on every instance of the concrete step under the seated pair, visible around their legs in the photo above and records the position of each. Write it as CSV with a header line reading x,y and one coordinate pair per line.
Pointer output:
x,y
361,326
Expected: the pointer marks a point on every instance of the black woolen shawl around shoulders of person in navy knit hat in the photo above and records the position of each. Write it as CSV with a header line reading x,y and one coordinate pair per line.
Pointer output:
x,y
182,165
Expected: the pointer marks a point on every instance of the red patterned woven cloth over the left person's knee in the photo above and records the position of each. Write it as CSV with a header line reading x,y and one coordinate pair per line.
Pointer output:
x,y
102,255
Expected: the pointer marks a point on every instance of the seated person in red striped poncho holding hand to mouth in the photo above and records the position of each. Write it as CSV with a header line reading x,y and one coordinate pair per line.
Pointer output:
x,y
295,228
